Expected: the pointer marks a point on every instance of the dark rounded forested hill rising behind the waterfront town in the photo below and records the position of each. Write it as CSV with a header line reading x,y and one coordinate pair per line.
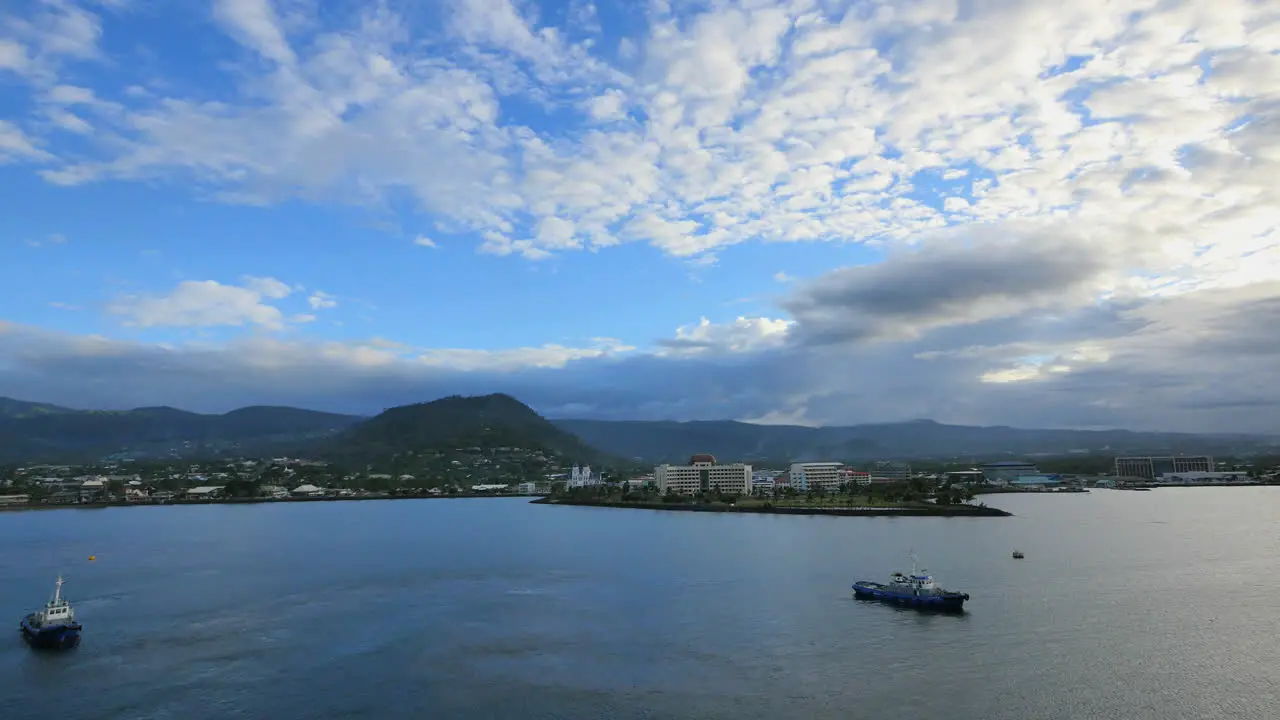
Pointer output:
x,y
487,422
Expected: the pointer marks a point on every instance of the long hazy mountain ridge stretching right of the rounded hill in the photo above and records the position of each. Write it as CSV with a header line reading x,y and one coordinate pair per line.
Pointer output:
x,y
669,441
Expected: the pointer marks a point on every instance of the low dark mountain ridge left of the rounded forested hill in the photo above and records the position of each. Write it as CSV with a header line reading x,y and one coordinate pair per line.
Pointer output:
x,y
35,432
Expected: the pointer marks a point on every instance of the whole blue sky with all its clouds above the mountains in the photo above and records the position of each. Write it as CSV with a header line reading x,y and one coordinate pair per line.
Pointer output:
x,y
811,212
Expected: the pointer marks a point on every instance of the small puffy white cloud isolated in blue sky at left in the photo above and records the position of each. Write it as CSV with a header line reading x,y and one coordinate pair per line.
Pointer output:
x,y
207,304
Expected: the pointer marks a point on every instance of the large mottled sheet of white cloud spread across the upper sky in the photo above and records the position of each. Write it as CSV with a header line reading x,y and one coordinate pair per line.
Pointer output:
x,y
784,122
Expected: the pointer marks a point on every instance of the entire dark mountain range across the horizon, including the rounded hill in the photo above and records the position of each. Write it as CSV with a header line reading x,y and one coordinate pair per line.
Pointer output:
x,y
43,432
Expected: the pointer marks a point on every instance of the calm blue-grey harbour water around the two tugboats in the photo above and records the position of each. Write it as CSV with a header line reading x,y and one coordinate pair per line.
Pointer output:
x,y
1137,605
